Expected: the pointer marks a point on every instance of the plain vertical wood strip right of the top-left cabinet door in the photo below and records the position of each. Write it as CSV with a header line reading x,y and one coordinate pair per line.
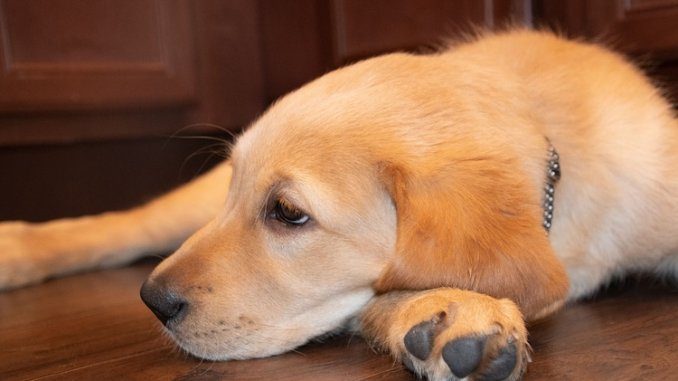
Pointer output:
x,y
230,81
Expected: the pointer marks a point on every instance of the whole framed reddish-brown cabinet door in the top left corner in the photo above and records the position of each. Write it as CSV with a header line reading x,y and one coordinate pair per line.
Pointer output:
x,y
91,54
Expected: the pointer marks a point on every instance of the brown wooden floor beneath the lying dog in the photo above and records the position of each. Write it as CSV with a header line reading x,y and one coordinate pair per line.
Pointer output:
x,y
94,327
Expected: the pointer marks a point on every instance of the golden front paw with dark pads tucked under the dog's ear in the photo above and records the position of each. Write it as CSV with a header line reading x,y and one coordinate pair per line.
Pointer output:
x,y
449,334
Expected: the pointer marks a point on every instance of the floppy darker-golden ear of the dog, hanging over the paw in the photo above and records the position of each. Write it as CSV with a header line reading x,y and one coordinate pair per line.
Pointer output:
x,y
472,224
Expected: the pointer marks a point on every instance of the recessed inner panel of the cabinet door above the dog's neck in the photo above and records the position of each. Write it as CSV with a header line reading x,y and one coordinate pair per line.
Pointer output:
x,y
363,28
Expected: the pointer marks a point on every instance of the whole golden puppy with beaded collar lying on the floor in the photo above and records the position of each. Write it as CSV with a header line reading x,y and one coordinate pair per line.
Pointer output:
x,y
431,203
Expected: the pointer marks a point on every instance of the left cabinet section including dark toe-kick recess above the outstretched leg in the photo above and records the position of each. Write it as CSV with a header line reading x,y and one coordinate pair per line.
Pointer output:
x,y
93,91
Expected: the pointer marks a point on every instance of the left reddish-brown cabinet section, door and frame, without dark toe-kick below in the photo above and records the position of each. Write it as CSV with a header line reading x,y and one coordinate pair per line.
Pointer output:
x,y
75,70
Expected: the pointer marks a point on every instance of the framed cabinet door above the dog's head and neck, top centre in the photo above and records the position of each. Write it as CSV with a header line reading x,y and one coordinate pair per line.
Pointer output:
x,y
302,39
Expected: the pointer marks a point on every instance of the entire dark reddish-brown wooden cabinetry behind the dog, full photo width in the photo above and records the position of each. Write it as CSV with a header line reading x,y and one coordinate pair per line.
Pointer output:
x,y
86,83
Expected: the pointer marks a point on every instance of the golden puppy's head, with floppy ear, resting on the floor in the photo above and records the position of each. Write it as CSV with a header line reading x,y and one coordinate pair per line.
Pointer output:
x,y
393,173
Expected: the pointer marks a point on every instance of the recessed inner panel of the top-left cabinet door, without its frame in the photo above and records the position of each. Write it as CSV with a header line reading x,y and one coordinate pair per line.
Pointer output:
x,y
81,33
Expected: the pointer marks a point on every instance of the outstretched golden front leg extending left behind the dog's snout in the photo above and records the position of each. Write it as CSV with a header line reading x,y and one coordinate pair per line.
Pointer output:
x,y
30,253
